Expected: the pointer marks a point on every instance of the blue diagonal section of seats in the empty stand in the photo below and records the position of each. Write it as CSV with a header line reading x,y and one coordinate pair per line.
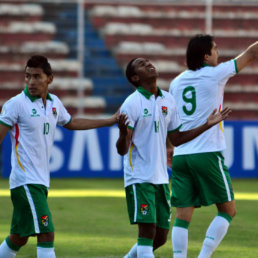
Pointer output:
x,y
100,65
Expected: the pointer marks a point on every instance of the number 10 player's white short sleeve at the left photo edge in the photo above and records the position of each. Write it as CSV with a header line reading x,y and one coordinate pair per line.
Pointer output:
x,y
9,114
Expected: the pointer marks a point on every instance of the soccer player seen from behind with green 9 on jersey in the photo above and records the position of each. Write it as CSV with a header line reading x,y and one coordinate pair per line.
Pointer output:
x,y
199,175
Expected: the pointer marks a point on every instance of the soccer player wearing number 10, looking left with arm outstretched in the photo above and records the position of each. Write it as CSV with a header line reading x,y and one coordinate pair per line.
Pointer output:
x,y
31,118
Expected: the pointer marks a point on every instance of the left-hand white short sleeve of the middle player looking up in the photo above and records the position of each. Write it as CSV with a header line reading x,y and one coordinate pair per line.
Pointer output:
x,y
130,109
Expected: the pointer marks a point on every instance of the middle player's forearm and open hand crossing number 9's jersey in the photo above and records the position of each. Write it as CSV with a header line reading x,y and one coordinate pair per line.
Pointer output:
x,y
178,138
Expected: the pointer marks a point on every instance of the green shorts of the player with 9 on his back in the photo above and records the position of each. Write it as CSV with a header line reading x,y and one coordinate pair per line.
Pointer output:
x,y
200,180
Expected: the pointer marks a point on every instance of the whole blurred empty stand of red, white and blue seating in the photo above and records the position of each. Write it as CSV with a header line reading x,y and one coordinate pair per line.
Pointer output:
x,y
114,34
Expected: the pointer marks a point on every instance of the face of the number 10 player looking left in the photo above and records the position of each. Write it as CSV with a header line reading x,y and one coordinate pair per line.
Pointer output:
x,y
37,82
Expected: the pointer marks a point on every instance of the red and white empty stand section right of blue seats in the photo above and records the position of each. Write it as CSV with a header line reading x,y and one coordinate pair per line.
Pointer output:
x,y
160,32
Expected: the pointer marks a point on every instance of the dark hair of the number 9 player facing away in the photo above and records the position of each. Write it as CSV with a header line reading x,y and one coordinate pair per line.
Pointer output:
x,y
198,46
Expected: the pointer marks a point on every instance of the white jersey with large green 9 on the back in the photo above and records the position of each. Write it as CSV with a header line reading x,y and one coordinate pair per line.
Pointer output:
x,y
197,94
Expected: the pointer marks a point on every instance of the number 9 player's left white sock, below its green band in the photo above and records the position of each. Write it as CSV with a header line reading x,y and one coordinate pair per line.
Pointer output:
x,y
179,242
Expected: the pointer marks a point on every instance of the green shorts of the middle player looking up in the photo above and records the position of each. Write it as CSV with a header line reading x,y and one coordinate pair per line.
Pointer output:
x,y
148,203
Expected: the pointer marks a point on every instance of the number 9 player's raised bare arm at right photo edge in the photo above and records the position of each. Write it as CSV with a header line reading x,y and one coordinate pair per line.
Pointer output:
x,y
247,57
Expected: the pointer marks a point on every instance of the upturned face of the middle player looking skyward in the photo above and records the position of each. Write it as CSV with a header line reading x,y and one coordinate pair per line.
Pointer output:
x,y
144,69
